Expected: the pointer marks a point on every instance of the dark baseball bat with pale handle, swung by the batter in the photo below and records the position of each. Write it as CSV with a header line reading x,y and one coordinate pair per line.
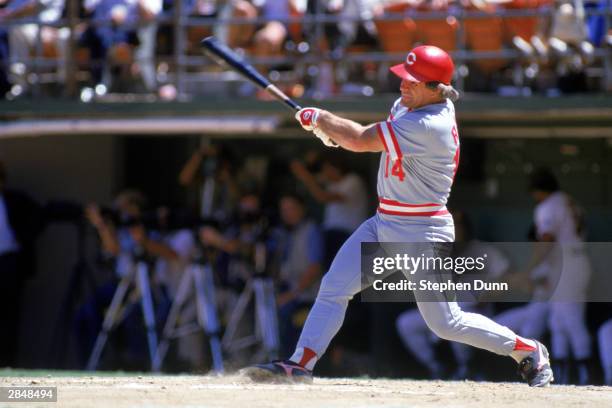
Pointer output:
x,y
225,54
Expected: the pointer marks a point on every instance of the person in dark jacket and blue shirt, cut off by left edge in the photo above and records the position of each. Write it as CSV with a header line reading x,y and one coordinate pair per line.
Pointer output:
x,y
20,223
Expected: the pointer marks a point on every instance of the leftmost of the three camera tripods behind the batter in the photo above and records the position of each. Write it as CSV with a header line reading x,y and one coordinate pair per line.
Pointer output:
x,y
138,275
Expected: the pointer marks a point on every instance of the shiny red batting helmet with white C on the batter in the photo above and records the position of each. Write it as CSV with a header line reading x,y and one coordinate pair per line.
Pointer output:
x,y
426,63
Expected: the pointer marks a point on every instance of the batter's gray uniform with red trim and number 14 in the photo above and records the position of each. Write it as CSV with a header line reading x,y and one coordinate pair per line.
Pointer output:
x,y
414,181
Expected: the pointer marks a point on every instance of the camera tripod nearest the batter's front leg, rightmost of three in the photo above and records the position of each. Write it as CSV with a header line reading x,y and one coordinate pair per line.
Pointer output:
x,y
260,289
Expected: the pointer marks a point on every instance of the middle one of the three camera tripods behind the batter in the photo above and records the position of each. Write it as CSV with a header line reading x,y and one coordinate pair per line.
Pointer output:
x,y
199,276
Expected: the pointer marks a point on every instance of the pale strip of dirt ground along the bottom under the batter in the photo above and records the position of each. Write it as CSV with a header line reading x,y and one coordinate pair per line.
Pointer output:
x,y
235,391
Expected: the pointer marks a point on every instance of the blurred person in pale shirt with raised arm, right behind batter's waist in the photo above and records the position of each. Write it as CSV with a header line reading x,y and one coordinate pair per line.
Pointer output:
x,y
344,195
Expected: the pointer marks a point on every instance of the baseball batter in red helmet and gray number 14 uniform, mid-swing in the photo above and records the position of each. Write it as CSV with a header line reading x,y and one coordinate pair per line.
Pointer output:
x,y
420,154
